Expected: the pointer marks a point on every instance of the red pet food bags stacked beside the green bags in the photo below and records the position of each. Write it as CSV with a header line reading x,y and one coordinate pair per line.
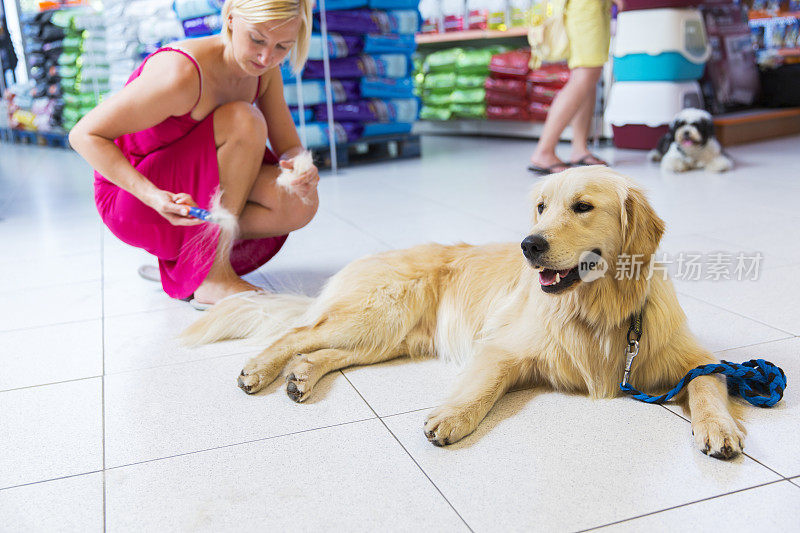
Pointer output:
x,y
515,92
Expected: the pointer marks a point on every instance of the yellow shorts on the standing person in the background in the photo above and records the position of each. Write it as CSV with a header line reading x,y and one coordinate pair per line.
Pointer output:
x,y
588,25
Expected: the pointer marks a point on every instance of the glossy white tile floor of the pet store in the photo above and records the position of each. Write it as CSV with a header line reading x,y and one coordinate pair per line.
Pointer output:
x,y
108,423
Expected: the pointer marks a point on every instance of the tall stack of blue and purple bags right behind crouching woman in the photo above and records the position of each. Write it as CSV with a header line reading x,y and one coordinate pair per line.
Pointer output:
x,y
370,44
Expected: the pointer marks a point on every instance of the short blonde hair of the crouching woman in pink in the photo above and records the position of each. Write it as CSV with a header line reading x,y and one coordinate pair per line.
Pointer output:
x,y
256,11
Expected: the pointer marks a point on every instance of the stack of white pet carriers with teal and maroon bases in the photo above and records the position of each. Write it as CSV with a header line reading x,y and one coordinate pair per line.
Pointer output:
x,y
659,54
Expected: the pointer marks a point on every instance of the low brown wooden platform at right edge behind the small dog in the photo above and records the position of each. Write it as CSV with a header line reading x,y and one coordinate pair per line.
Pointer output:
x,y
756,125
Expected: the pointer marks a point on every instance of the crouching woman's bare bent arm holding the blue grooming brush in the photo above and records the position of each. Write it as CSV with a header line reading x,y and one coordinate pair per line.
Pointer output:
x,y
168,85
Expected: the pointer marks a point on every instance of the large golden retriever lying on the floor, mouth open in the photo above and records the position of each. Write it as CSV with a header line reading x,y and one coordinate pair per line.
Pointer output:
x,y
516,318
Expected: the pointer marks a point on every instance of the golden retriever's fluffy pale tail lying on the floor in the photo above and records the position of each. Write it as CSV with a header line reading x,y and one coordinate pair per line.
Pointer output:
x,y
262,317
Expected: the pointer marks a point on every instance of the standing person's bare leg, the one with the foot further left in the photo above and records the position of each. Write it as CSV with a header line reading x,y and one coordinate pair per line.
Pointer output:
x,y
566,106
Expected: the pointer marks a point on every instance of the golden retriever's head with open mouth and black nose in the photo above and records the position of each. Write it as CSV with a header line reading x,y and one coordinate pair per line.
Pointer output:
x,y
588,209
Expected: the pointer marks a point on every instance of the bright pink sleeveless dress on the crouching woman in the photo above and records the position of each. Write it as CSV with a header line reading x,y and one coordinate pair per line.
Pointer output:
x,y
177,155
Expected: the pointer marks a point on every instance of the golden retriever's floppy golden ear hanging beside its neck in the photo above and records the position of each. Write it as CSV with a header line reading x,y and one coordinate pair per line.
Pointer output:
x,y
642,227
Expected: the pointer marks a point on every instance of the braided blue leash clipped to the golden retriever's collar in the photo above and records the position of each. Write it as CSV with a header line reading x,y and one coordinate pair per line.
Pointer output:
x,y
758,381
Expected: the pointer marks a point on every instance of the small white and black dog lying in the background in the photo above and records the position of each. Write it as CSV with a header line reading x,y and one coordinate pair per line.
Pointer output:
x,y
691,144
